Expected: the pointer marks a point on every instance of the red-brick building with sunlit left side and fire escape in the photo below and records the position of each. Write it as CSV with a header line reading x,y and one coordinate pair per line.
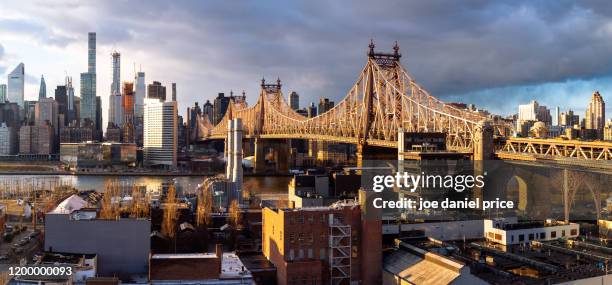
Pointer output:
x,y
301,242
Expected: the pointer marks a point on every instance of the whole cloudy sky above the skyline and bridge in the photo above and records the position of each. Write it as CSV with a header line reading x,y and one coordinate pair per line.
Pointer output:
x,y
493,54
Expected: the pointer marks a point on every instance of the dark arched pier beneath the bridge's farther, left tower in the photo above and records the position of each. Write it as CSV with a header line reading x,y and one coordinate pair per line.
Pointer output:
x,y
277,148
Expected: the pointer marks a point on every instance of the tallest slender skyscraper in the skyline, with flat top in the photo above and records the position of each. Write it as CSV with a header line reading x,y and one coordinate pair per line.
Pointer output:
x,y
88,84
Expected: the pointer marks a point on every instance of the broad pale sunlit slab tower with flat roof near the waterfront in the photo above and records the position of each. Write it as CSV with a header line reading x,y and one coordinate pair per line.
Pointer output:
x,y
160,141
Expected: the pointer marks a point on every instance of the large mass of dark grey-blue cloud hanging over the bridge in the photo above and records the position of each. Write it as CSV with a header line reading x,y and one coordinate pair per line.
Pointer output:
x,y
318,47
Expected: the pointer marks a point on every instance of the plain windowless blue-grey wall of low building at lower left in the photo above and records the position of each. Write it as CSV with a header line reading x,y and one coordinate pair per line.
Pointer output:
x,y
122,246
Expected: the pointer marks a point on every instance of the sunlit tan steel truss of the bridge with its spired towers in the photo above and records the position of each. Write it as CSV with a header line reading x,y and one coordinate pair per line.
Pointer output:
x,y
383,100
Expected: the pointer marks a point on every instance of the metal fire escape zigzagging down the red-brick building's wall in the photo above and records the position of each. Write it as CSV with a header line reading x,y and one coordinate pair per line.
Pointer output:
x,y
339,251
